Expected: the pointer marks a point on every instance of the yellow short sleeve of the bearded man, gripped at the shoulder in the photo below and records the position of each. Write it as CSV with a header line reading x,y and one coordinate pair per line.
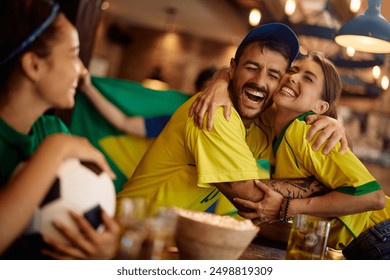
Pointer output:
x,y
221,154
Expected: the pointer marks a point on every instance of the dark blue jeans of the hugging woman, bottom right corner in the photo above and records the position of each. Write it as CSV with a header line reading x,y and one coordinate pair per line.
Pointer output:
x,y
373,244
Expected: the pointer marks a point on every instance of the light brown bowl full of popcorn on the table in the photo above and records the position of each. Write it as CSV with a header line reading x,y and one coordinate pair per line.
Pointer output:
x,y
206,236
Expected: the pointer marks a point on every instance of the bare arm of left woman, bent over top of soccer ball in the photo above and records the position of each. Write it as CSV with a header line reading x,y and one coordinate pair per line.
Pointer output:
x,y
29,185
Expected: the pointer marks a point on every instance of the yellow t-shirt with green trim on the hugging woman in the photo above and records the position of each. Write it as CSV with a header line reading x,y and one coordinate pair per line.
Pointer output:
x,y
295,158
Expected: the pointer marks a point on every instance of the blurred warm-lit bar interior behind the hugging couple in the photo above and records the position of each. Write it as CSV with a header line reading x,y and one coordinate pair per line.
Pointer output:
x,y
174,40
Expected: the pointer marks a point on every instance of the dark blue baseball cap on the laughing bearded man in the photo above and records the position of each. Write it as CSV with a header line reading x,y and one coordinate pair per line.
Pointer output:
x,y
277,32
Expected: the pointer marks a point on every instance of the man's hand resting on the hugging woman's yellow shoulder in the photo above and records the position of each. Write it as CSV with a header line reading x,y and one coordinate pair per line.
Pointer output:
x,y
331,130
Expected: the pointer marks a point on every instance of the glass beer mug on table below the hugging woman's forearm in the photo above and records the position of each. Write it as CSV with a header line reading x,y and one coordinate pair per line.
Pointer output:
x,y
308,238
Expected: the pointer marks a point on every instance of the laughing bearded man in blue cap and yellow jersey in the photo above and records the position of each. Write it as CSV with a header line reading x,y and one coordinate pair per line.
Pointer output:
x,y
190,167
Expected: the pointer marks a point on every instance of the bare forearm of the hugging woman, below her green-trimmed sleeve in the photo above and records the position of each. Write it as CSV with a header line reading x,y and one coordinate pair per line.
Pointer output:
x,y
335,204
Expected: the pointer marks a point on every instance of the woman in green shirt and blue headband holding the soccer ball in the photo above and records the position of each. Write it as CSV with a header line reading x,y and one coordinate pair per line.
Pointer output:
x,y
39,70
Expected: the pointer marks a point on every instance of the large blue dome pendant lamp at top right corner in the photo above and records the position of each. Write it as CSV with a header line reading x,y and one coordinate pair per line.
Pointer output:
x,y
369,32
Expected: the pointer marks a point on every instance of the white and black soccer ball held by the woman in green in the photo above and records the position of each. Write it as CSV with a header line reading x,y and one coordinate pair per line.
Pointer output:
x,y
80,186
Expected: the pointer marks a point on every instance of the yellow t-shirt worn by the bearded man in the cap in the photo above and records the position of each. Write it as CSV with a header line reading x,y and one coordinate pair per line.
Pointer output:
x,y
182,163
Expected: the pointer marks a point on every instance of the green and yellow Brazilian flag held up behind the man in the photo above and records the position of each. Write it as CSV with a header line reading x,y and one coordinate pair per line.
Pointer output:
x,y
122,151
